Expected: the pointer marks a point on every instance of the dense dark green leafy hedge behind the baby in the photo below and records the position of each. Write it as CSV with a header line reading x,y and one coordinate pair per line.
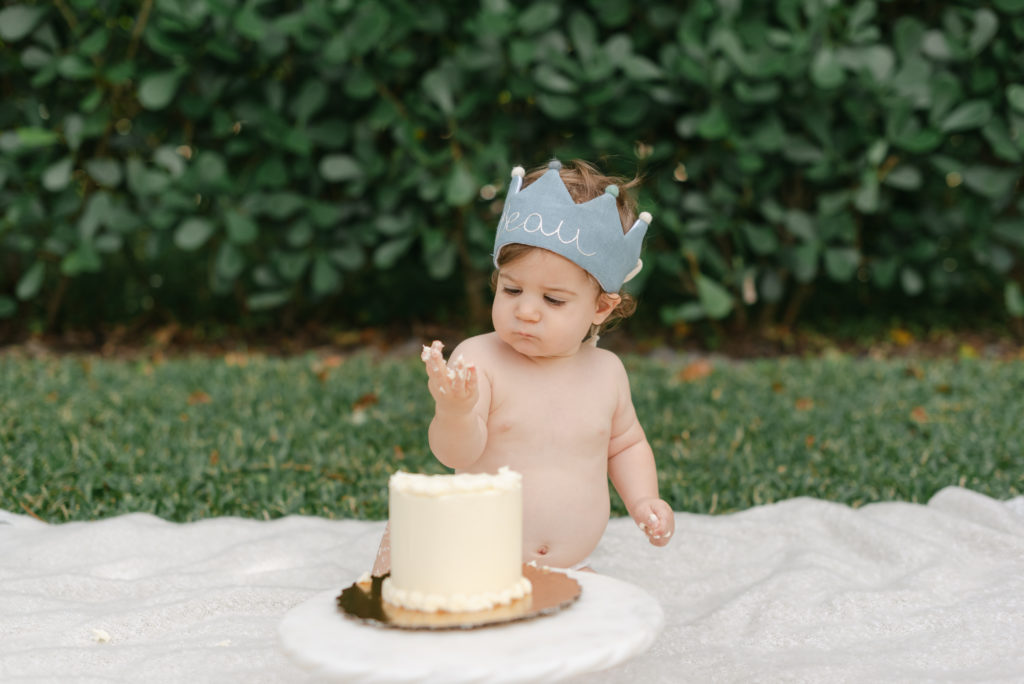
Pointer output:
x,y
228,158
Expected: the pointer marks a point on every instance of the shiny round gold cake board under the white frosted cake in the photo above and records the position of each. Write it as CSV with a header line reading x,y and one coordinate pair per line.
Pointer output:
x,y
552,591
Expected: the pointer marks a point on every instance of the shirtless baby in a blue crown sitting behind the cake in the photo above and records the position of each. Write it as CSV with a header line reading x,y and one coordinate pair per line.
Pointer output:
x,y
537,395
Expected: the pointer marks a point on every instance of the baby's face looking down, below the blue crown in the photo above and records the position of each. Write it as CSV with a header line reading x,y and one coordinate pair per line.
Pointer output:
x,y
545,306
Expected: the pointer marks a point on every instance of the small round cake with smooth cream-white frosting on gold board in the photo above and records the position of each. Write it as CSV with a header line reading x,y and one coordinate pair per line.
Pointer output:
x,y
456,542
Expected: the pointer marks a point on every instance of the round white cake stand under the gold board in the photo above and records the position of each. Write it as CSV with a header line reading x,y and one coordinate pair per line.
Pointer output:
x,y
611,623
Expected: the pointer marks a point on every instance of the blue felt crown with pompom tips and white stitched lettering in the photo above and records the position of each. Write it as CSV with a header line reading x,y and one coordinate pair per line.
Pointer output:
x,y
589,235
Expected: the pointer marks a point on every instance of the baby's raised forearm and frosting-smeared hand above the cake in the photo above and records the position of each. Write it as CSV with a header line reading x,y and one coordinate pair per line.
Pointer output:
x,y
459,431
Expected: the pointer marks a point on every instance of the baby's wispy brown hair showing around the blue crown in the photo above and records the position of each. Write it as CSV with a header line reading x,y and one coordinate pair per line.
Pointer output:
x,y
585,183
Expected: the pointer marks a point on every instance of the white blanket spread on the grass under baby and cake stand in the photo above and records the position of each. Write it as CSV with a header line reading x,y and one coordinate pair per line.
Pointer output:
x,y
804,590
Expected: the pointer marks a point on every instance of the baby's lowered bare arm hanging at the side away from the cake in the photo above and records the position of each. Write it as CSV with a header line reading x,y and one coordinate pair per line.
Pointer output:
x,y
631,466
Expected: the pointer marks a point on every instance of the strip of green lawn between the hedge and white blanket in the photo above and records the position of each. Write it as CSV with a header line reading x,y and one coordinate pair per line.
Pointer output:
x,y
83,439
